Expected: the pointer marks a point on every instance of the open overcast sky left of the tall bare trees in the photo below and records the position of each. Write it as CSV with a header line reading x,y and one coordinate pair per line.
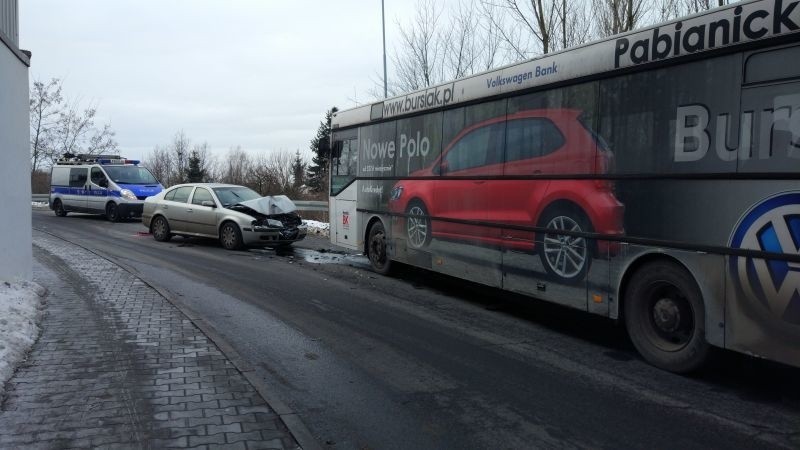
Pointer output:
x,y
255,73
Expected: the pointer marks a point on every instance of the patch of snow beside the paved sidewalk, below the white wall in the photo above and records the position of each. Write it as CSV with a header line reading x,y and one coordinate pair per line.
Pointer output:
x,y
20,314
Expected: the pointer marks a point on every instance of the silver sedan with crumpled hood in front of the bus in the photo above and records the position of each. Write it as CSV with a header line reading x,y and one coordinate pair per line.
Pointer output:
x,y
238,216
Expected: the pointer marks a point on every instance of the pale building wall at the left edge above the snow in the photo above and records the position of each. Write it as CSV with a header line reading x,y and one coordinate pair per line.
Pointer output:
x,y
15,184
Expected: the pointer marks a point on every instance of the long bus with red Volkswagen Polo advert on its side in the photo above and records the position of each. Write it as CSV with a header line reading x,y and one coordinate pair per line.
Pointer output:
x,y
652,178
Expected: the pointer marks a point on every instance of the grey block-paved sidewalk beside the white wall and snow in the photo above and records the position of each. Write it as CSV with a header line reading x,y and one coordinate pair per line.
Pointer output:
x,y
117,366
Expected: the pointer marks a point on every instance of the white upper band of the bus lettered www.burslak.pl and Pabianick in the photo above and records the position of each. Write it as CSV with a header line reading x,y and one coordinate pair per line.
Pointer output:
x,y
717,28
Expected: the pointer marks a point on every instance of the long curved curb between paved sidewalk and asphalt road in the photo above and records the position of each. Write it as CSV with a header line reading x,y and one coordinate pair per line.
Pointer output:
x,y
290,418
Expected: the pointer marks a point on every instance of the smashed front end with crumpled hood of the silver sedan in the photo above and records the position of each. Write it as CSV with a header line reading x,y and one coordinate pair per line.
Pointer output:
x,y
275,221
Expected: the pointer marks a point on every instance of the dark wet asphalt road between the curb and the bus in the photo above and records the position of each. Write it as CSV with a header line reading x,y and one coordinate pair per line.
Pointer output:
x,y
423,361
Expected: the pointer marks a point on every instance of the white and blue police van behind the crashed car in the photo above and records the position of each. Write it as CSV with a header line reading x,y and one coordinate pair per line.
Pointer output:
x,y
100,184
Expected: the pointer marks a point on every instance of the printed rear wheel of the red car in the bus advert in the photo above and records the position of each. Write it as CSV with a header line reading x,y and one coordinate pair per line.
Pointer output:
x,y
565,257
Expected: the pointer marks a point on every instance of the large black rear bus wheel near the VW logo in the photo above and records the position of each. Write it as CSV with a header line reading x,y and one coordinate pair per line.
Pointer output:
x,y
665,317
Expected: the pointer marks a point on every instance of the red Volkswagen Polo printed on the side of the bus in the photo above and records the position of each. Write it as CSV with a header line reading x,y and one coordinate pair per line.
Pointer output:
x,y
484,188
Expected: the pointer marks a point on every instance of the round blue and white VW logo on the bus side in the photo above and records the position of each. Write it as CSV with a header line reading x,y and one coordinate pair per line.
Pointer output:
x,y
771,226
